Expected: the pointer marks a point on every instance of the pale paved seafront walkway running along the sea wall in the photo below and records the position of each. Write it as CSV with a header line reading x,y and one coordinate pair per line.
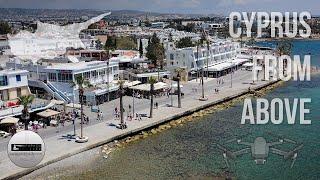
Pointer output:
x,y
100,133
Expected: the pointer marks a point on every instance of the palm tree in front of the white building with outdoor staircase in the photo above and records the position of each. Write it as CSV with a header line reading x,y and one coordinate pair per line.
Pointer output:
x,y
81,82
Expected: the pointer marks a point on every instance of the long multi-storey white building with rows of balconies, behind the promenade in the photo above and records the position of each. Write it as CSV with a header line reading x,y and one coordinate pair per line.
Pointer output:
x,y
220,58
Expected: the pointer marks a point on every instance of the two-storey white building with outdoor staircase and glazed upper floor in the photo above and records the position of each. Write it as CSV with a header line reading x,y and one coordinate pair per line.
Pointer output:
x,y
58,78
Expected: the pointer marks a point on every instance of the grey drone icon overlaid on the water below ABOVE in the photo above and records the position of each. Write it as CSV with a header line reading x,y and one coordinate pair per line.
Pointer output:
x,y
260,149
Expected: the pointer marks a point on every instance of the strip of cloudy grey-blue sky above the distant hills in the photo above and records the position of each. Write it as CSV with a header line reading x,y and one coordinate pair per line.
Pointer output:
x,y
173,6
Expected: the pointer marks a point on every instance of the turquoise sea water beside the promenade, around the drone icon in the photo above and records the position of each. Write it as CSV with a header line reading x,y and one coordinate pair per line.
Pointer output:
x,y
189,152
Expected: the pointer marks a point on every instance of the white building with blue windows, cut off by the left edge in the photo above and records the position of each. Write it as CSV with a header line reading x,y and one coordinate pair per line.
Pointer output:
x,y
13,84
